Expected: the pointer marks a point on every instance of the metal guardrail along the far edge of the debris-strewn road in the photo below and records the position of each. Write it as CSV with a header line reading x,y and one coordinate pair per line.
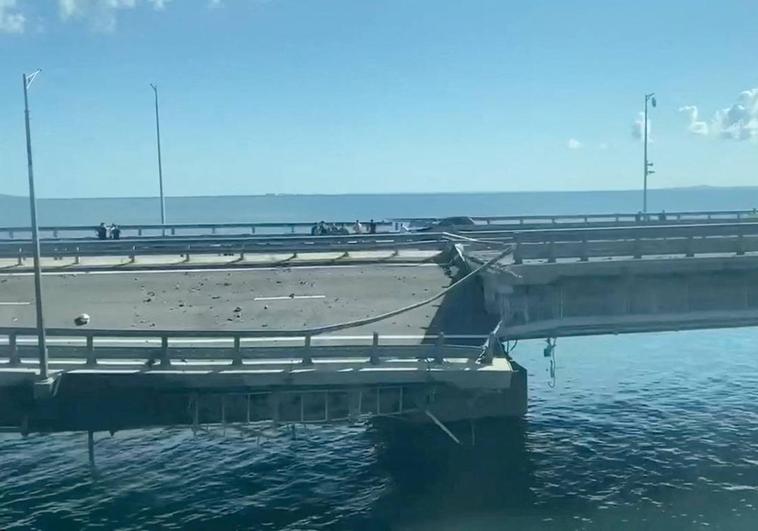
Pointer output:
x,y
225,245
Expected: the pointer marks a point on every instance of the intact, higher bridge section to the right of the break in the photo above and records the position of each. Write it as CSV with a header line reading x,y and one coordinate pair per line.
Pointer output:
x,y
616,280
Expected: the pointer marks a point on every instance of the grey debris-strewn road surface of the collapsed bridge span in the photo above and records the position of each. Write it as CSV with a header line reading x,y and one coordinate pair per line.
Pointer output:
x,y
247,299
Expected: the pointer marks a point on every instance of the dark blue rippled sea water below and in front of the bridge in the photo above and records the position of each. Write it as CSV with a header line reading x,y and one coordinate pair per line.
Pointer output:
x,y
654,431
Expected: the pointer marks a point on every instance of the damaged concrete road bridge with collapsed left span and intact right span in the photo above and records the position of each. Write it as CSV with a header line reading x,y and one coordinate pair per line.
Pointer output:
x,y
423,338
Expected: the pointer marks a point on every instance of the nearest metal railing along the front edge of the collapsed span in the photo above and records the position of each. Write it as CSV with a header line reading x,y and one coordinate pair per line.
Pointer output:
x,y
160,348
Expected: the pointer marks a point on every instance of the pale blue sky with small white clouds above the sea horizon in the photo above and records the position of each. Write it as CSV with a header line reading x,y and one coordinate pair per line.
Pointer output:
x,y
338,96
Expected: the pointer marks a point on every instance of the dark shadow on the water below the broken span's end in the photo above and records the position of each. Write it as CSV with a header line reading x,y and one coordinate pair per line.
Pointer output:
x,y
433,478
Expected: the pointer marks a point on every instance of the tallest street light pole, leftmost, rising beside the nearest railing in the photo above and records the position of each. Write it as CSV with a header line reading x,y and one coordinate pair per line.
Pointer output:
x,y
41,339
